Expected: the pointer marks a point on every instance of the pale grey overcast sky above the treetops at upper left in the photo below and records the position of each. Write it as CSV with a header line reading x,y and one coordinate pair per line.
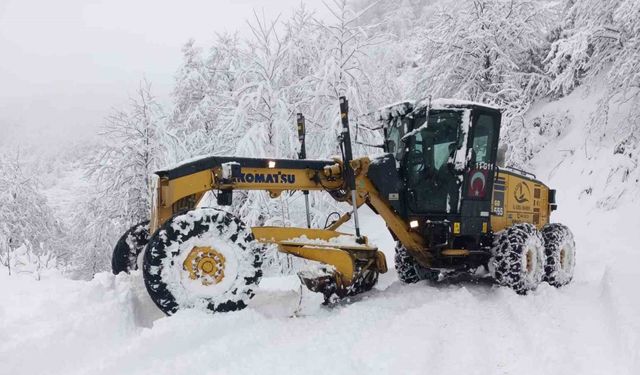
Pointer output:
x,y
65,63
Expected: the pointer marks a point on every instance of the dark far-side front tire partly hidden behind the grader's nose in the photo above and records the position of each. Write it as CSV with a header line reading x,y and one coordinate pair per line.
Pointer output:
x,y
125,253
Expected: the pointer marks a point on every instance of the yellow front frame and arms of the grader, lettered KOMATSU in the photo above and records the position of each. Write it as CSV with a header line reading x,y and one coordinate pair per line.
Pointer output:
x,y
184,193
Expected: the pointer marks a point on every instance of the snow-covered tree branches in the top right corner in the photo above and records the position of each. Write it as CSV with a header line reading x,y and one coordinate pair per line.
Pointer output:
x,y
599,41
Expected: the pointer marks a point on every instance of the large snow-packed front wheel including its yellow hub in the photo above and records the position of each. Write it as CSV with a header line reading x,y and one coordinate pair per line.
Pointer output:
x,y
204,258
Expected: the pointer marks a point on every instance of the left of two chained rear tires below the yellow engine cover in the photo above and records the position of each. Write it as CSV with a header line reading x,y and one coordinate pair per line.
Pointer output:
x,y
508,263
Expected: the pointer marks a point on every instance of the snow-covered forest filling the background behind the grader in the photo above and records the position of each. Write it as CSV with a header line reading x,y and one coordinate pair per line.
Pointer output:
x,y
240,95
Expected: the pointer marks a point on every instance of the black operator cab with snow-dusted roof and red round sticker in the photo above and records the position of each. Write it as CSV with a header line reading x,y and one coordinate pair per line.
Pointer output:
x,y
445,155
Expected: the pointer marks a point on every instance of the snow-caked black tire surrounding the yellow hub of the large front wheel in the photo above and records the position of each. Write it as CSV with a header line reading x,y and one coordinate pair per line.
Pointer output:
x,y
165,278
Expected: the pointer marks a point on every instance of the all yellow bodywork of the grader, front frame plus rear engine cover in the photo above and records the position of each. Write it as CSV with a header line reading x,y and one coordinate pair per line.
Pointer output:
x,y
515,199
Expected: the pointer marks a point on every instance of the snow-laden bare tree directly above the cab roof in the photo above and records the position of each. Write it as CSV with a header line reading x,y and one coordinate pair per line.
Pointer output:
x,y
485,50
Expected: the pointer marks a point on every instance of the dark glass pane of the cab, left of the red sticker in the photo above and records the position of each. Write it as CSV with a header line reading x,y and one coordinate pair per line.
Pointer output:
x,y
434,185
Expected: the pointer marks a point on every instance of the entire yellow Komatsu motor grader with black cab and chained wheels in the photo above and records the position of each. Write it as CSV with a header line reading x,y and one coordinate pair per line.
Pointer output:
x,y
438,187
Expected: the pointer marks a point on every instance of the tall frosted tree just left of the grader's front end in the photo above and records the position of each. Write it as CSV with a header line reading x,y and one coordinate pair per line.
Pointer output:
x,y
121,174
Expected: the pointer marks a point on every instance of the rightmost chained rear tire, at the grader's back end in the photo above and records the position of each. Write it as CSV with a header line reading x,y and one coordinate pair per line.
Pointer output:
x,y
557,237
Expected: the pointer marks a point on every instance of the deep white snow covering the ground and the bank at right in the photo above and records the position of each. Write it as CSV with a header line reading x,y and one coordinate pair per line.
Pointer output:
x,y
108,325
